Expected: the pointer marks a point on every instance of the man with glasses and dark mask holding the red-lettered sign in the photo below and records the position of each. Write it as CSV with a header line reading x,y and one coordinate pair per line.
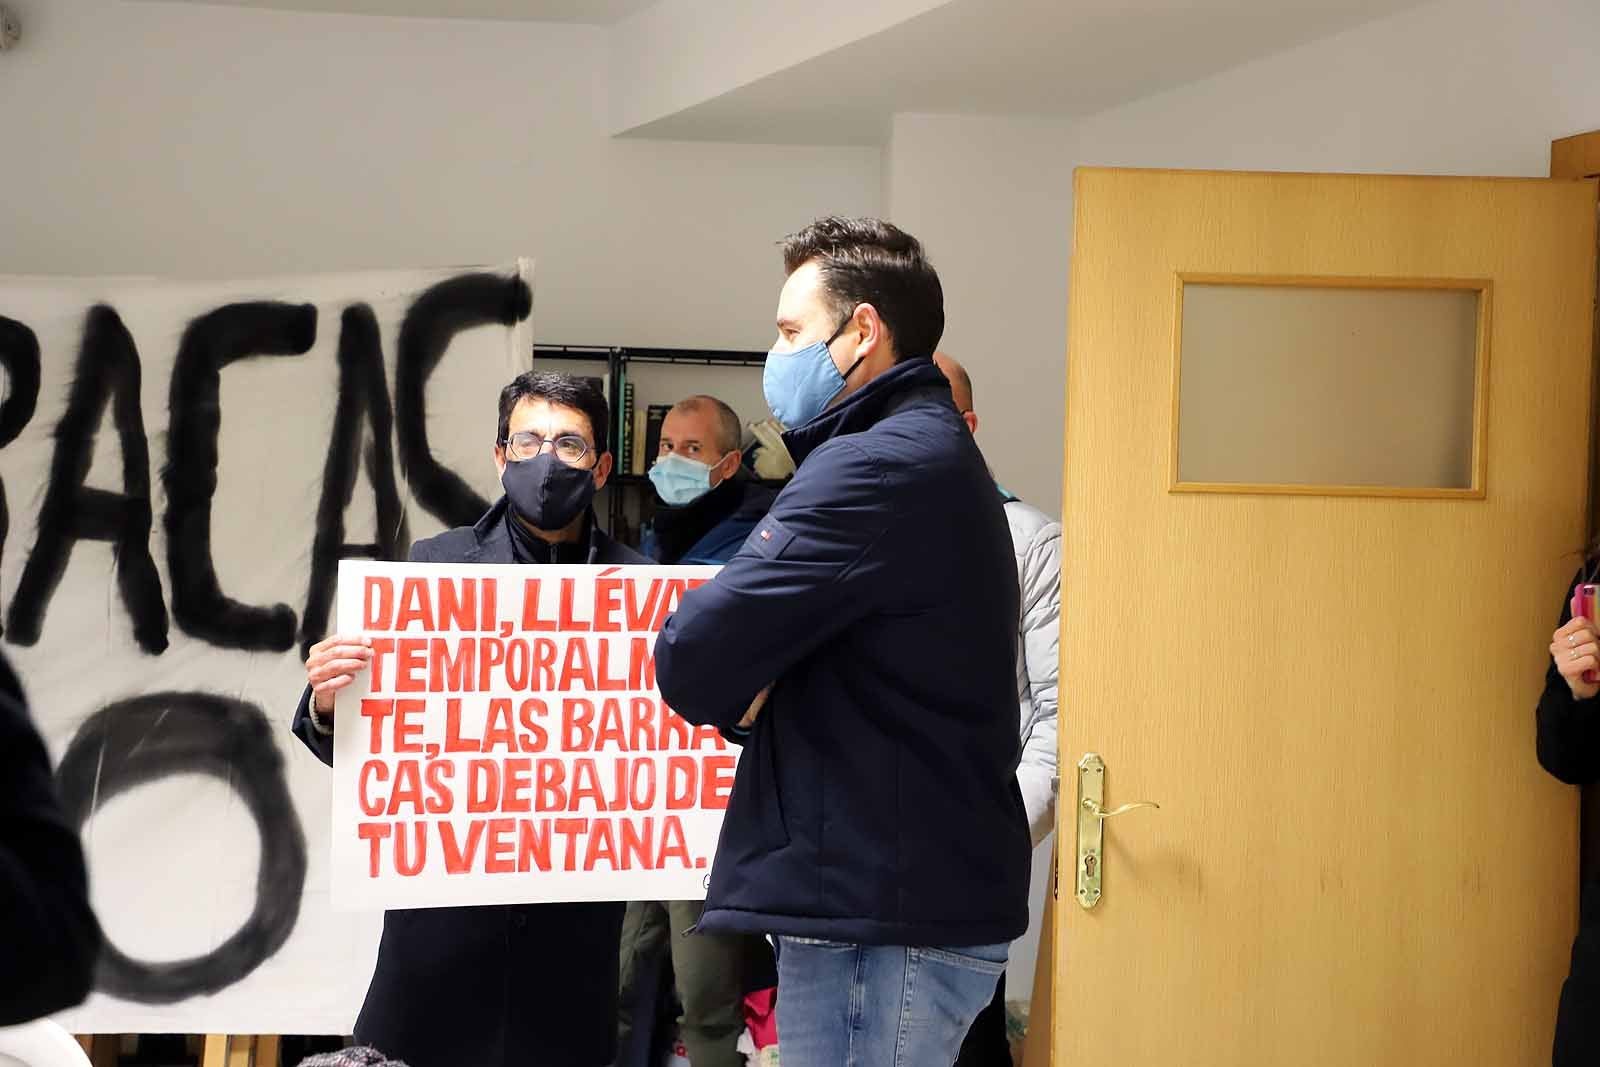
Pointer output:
x,y
524,983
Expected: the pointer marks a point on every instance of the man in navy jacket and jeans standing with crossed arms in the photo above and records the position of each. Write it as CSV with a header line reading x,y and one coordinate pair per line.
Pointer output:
x,y
863,645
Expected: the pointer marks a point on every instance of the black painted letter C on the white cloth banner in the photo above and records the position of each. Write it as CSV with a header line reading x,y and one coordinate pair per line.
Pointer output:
x,y
210,343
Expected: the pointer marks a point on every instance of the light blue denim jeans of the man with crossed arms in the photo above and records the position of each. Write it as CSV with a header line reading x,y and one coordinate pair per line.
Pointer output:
x,y
842,1005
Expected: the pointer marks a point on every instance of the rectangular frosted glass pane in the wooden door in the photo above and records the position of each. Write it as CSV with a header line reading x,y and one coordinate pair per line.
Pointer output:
x,y
1306,386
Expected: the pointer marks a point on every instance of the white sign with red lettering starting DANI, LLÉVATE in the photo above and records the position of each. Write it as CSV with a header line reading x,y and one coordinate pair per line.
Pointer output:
x,y
508,743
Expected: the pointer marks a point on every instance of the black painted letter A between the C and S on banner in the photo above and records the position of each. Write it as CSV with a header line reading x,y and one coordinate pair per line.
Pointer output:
x,y
364,398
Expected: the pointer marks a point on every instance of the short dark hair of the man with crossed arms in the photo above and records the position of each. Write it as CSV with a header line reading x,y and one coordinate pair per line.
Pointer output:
x,y
871,262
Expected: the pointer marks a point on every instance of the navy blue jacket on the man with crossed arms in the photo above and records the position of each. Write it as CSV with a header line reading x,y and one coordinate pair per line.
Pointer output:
x,y
878,799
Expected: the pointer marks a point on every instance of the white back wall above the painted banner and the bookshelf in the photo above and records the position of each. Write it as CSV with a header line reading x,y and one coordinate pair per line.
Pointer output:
x,y
156,138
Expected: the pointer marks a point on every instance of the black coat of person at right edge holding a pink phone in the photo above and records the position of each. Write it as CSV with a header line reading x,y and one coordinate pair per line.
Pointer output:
x,y
1569,740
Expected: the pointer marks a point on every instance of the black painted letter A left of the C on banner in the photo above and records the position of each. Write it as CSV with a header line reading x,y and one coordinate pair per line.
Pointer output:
x,y
108,372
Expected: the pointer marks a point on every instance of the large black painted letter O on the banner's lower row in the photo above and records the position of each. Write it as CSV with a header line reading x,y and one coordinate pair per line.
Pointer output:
x,y
148,738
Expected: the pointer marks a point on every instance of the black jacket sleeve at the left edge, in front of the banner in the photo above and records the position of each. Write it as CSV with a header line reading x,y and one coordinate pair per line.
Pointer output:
x,y
49,937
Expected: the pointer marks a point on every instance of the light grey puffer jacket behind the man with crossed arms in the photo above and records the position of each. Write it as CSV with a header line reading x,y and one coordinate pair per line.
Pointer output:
x,y
1036,538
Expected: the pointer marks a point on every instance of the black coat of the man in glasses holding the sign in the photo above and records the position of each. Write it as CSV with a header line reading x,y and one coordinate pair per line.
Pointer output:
x,y
498,986
